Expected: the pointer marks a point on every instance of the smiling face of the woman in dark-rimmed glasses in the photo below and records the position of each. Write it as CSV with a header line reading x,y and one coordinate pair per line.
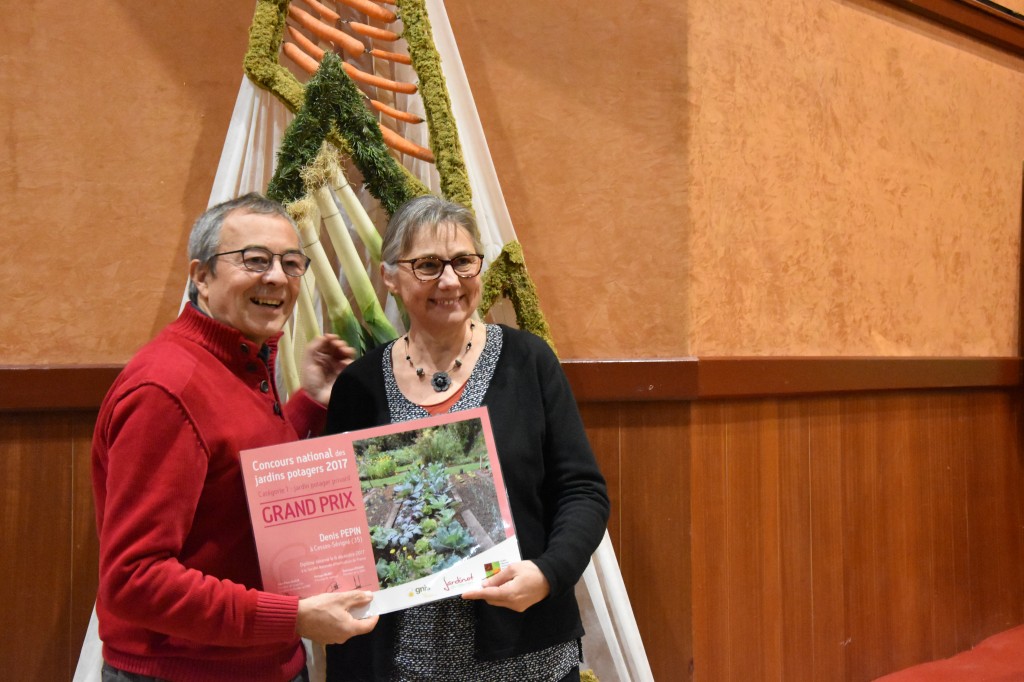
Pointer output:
x,y
445,304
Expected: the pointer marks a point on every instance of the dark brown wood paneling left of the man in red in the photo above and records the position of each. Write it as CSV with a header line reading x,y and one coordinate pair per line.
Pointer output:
x,y
49,566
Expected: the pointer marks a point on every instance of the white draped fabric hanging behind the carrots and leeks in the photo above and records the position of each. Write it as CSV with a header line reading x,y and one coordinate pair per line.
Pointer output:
x,y
613,648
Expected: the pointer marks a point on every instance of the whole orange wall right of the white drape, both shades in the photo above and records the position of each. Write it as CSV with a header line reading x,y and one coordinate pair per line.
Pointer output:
x,y
709,179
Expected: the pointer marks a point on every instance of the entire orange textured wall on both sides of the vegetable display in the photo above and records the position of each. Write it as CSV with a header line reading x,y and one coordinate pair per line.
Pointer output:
x,y
827,178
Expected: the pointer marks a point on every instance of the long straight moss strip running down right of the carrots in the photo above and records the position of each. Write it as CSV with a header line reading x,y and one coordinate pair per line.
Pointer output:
x,y
438,106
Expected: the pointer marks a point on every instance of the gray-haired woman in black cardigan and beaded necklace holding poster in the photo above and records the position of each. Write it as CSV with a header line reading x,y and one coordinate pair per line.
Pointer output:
x,y
524,624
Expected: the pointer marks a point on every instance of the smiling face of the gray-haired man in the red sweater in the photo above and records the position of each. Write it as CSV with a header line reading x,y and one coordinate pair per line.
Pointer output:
x,y
258,305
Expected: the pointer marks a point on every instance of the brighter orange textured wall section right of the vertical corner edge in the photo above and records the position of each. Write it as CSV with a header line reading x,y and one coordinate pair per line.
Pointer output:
x,y
856,180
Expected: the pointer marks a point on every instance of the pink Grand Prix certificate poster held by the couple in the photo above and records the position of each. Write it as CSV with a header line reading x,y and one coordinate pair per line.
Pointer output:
x,y
415,511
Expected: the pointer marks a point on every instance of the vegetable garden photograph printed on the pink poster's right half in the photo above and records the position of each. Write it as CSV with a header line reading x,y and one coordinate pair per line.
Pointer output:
x,y
431,499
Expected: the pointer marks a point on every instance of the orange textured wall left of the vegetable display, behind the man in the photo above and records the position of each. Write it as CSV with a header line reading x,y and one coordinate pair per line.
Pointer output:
x,y
114,115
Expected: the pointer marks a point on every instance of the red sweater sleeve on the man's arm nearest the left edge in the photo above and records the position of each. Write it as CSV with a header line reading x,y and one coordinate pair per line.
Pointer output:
x,y
155,471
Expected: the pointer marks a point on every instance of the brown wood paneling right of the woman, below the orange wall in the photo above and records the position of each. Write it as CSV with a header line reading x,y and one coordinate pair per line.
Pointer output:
x,y
836,538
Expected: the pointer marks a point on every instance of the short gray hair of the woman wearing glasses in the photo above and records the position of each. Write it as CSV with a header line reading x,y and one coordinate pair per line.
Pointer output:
x,y
424,212
